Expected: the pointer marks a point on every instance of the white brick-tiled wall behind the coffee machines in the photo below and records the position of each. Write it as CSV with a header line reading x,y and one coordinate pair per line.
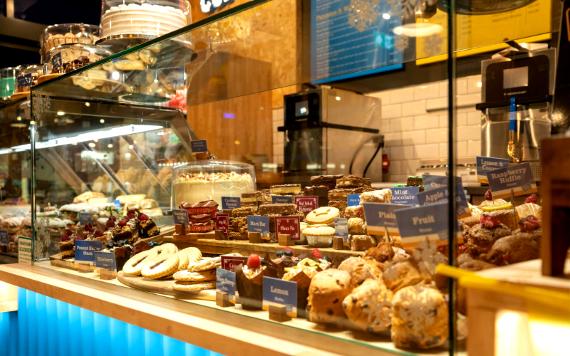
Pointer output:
x,y
414,124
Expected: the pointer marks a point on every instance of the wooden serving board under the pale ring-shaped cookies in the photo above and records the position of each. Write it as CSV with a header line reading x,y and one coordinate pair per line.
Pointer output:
x,y
163,286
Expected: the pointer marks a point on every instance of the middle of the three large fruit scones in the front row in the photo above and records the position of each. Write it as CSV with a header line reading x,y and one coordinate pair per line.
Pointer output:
x,y
369,307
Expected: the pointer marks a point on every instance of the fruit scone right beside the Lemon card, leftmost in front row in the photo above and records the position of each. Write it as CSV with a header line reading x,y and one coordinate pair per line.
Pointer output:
x,y
326,293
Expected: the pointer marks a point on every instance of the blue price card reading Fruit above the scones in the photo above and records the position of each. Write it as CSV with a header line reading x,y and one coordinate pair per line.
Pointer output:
x,y
418,223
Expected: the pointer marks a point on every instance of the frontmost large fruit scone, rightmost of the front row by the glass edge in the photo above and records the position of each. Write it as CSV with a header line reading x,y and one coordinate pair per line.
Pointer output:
x,y
419,318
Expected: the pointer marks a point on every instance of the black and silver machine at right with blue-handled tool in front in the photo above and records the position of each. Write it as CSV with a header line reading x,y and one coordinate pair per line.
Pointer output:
x,y
517,88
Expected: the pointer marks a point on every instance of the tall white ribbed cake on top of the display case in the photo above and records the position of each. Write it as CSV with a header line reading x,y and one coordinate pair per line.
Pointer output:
x,y
144,18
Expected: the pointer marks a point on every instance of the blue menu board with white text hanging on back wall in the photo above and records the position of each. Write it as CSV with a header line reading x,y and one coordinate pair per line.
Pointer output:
x,y
351,39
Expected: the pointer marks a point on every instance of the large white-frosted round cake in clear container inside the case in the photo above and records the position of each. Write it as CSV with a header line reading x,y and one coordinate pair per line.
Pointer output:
x,y
212,180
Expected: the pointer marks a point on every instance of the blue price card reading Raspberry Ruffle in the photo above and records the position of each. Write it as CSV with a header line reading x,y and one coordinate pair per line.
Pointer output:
x,y
515,179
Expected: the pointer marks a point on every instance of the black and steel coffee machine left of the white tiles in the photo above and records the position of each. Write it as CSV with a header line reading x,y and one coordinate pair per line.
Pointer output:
x,y
331,131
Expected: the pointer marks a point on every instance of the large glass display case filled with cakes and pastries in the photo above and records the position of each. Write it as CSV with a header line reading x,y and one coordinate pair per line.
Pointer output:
x,y
116,152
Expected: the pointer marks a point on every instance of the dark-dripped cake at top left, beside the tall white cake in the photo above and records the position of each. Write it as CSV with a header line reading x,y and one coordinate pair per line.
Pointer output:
x,y
67,33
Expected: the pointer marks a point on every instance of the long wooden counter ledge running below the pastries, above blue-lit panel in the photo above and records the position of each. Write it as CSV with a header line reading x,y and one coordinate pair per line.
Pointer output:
x,y
198,322
